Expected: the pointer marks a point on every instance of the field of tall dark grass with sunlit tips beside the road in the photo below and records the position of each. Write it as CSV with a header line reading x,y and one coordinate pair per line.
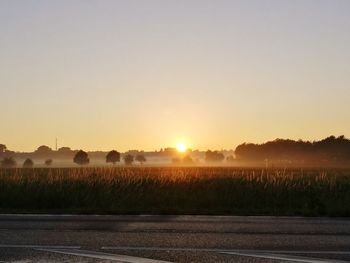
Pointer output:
x,y
176,190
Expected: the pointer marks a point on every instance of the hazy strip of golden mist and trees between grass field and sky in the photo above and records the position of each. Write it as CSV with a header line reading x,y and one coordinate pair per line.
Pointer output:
x,y
329,152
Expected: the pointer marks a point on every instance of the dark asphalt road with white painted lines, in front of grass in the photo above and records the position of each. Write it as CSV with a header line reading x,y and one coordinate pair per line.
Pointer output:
x,y
152,239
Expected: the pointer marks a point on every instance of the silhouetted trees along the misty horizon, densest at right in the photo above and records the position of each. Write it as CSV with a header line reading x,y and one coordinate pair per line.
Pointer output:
x,y
329,151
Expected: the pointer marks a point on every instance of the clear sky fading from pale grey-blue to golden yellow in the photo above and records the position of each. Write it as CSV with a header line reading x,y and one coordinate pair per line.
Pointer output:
x,y
147,74
